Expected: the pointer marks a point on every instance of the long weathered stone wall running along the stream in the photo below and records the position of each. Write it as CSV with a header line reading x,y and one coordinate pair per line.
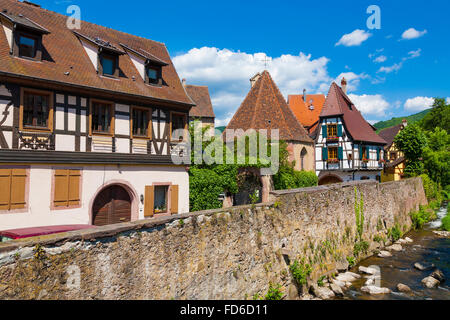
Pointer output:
x,y
229,253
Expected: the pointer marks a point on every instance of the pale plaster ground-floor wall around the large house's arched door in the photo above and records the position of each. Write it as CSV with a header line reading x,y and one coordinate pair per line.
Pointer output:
x,y
93,178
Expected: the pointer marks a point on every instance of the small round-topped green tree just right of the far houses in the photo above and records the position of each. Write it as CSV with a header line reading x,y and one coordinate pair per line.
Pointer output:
x,y
412,142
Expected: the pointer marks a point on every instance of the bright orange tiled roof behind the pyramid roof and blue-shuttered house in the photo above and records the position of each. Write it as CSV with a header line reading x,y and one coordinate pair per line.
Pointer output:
x,y
307,116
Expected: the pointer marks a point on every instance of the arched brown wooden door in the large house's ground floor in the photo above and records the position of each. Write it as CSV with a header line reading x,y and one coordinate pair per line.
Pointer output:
x,y
112,205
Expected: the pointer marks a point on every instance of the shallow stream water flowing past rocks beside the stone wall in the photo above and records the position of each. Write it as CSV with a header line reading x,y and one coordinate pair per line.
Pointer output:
x,y
428,248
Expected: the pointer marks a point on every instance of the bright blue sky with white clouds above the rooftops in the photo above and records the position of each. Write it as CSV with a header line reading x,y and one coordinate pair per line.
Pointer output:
x,y
394,71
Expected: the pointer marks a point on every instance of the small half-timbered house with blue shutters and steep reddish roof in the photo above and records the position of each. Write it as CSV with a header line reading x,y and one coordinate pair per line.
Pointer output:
x,y
347,146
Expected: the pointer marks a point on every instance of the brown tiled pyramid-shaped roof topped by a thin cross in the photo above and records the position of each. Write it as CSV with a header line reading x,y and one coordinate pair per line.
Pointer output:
x,y
265,108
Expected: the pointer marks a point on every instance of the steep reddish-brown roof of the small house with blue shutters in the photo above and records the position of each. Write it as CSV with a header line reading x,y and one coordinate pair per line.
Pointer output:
x,y
339,104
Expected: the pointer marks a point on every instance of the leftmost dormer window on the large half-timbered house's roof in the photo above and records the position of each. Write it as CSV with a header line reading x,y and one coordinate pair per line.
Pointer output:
x,y
25,38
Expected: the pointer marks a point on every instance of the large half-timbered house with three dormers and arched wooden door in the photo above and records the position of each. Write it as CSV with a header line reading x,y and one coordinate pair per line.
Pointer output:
x,y
86,122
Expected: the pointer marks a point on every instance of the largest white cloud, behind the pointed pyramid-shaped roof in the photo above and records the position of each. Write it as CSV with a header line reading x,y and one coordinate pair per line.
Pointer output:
x,y
227,74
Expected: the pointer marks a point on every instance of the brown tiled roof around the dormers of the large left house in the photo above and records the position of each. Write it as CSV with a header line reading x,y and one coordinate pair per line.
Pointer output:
x,y
65,53
